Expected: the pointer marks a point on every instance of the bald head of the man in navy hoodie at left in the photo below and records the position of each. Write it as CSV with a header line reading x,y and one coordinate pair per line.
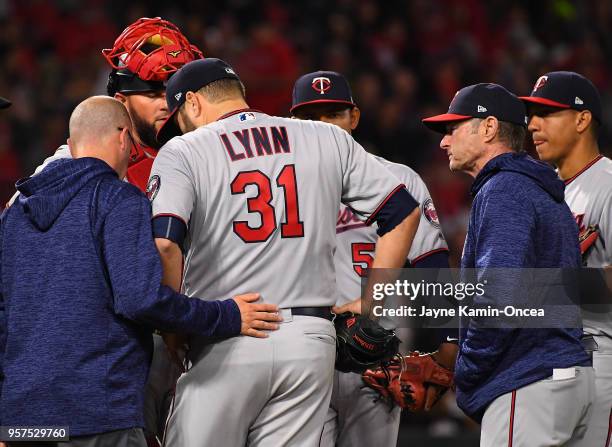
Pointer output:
x,y
95,119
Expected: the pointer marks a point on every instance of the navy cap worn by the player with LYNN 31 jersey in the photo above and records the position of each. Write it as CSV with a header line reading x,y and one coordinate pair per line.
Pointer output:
x,y
190,78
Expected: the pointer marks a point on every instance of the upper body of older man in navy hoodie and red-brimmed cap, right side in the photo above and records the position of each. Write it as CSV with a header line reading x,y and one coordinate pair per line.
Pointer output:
x,y
519,220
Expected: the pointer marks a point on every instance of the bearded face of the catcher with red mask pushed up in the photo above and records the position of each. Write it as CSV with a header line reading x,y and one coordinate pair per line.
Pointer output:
x,y
148,111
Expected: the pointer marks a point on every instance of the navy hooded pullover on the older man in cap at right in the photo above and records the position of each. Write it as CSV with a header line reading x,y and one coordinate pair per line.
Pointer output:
x,y
519,219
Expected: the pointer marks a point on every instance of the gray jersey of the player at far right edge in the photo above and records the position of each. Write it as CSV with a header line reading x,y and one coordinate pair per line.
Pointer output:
x,y
589,196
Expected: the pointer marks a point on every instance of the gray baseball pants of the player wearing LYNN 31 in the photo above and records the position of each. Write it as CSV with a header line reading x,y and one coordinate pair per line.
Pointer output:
x,y
257,392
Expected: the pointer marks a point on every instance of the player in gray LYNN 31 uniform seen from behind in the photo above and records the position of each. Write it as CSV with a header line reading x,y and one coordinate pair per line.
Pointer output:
x,y
251,200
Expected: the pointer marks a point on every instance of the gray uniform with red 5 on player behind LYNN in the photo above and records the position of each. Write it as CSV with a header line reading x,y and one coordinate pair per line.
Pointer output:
x,y
355,416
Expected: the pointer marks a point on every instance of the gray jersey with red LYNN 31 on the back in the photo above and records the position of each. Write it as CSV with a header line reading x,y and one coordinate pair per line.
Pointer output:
x,y
260,196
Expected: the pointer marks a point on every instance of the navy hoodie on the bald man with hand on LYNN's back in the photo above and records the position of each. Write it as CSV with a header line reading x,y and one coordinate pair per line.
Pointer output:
x,y
80,292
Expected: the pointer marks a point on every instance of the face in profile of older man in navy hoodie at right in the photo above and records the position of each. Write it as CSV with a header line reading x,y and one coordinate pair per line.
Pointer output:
x,y
461,143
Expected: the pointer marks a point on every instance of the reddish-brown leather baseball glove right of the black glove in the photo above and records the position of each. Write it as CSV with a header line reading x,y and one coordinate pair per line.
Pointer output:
x,y
404,380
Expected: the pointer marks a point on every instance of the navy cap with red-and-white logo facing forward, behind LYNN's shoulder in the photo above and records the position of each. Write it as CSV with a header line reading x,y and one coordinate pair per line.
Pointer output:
x,y
321,87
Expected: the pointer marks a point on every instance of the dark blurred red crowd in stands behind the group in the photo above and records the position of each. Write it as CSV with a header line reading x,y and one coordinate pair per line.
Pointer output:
x,y
405,60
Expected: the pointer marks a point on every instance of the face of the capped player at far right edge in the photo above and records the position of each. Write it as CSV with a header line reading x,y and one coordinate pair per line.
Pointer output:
x,y
553,131
